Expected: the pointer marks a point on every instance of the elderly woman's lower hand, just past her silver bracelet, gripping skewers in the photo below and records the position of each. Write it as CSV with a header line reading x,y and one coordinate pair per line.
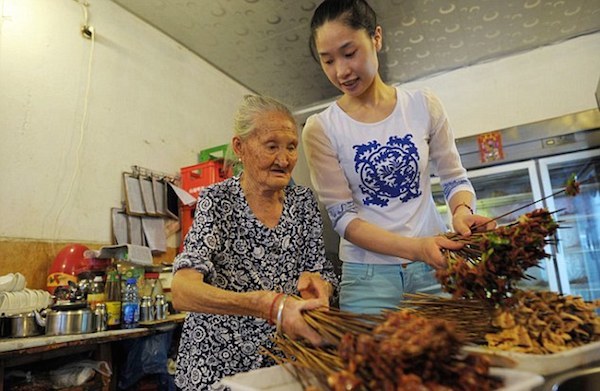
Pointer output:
x,y
293,323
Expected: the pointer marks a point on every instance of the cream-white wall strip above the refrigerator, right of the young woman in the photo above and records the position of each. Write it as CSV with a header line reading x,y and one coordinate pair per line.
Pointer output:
x,y
540,84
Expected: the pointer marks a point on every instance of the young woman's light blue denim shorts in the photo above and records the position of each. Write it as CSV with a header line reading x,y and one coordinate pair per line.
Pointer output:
x,y
368,289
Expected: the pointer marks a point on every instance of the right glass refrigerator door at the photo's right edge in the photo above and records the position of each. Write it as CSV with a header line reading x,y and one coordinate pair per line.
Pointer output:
x,y
578,256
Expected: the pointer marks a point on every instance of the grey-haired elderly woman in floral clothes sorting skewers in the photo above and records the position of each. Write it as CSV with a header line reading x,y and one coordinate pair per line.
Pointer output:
x,y
256,240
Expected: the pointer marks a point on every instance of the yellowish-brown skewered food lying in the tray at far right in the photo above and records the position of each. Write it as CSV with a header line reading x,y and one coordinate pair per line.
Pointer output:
x,y
538,322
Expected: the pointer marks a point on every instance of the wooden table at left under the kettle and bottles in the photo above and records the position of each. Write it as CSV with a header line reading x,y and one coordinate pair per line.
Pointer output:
x,y
16,352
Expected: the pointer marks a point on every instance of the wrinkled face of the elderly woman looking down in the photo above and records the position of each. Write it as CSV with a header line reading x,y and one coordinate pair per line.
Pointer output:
x,y
270,152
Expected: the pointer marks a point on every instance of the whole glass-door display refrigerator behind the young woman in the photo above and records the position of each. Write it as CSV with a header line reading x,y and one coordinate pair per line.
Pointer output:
x,y
530,173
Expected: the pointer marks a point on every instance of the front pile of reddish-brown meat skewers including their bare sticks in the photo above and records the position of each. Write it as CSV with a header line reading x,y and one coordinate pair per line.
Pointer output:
x,y
398,350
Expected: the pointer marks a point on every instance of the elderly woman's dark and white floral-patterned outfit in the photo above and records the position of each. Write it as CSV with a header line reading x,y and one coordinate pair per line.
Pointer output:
x,y
236,252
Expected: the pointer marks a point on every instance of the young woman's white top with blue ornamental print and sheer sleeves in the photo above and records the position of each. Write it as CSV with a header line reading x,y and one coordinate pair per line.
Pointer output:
x,y
380,172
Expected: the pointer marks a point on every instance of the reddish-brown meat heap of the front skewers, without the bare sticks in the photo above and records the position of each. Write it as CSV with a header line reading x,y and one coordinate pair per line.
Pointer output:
x,y
407,351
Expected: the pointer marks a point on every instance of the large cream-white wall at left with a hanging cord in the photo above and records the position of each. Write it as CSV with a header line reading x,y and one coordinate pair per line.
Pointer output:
x,y
151,103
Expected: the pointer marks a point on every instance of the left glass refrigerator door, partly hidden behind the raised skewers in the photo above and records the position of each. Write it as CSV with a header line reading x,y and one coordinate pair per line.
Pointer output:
x,y
500,191
